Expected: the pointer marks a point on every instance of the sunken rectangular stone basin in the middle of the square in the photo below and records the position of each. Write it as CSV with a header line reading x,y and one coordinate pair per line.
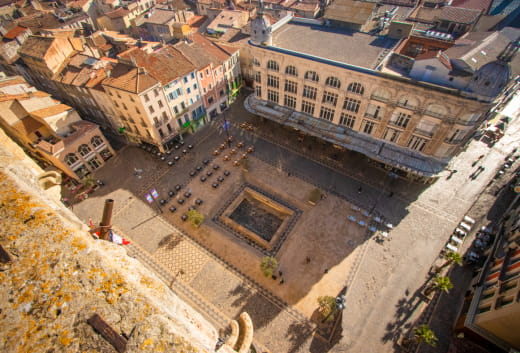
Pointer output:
x,y
258,217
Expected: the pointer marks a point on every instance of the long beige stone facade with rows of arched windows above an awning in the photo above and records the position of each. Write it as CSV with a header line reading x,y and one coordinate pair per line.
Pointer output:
x,y
410,126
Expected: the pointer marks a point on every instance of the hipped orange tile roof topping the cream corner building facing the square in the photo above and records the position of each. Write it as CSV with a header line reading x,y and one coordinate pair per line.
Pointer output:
x,y
127,78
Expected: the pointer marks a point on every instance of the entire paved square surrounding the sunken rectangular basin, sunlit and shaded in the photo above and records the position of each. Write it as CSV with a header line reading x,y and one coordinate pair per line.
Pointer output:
x,y
218,272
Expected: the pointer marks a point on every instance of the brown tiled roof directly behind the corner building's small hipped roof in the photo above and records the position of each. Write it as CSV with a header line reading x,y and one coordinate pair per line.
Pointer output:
x,y
165,65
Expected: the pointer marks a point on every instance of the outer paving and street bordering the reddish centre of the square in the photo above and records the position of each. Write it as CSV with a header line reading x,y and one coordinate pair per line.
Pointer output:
x,y
384,274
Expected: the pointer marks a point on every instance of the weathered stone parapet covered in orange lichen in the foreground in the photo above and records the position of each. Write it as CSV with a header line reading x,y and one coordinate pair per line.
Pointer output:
x,y
60,276
